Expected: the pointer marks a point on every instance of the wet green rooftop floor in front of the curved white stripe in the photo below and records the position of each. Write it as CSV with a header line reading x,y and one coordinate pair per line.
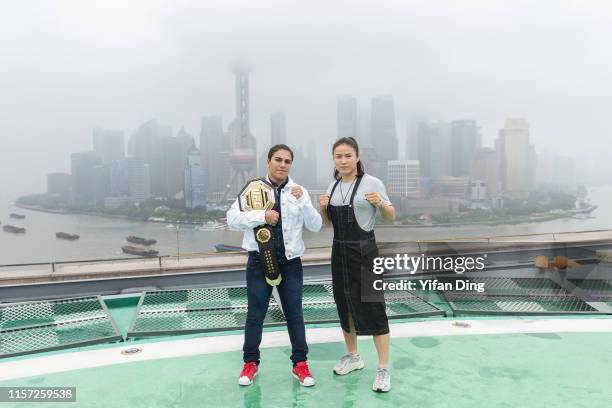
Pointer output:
x,y
512,370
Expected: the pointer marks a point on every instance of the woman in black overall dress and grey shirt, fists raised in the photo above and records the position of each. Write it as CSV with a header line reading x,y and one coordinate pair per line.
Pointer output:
x,y
361,308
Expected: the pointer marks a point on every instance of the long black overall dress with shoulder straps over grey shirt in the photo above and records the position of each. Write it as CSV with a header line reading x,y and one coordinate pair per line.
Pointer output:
x,y
353,254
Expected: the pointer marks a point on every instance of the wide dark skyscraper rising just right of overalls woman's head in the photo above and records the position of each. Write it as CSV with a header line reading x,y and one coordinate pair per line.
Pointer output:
x,y
383,134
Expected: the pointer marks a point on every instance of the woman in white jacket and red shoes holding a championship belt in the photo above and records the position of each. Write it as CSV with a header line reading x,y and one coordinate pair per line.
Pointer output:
x,y
273,238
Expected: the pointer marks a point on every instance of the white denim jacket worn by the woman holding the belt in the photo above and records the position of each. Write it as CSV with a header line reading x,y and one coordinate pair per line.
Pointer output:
x,y
295,214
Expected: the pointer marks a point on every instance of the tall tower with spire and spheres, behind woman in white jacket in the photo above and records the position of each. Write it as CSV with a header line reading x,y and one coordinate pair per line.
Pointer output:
x,y
243,158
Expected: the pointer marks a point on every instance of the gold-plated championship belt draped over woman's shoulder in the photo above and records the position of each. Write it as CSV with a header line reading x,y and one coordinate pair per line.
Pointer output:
x,y
259,195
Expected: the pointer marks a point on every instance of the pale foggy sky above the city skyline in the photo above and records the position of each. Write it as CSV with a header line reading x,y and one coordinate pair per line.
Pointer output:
x,y
69,66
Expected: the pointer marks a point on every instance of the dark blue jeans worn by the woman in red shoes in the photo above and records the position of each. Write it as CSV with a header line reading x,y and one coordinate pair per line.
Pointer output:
x,y
258,292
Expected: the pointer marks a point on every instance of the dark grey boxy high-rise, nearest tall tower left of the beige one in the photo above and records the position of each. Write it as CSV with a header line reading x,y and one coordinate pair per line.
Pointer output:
x,y
465,140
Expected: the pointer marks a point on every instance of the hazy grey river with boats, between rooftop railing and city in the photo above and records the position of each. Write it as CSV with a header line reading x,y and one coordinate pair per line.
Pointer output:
x,y
102,238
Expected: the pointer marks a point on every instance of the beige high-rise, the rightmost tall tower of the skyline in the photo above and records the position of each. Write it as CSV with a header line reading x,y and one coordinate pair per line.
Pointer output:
x,y
516,161
